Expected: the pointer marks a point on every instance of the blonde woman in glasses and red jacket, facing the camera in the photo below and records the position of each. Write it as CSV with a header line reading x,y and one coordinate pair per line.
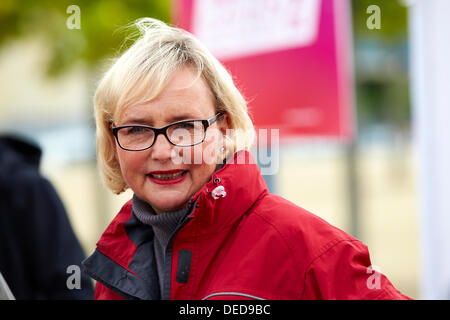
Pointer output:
x,y
172,126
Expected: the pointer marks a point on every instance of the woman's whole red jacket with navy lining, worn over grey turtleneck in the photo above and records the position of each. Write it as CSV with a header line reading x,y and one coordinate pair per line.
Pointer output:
x,y
245,244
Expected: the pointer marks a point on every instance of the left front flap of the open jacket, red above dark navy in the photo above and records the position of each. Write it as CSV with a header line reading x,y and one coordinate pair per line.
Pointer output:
x,y
124,257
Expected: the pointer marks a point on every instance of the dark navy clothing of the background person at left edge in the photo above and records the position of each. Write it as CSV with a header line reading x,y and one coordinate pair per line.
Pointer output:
x,y
37,242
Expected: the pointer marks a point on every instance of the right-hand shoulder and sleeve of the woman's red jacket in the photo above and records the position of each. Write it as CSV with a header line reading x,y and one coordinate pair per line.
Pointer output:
x,y
335,265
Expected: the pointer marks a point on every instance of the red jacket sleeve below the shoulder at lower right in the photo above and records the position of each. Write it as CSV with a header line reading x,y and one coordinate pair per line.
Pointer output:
x,y
344,272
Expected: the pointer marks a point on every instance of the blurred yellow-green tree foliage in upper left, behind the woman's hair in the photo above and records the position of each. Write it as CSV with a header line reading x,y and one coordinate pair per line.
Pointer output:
x,y
99,36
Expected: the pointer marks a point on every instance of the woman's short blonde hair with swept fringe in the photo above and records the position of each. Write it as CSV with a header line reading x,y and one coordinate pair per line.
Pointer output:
x,y
142,72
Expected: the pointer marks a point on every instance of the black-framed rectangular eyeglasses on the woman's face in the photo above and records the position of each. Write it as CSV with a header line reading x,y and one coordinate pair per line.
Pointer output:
x,y
184,133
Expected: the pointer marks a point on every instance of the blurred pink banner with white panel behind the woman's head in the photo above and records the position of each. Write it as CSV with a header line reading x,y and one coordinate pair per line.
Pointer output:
x,y
291,59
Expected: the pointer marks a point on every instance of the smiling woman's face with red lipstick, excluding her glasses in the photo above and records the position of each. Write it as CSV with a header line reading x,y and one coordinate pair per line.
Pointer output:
x,y
146,172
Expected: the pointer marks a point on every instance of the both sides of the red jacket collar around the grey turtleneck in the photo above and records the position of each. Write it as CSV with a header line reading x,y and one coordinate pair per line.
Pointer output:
x,y
231,191
